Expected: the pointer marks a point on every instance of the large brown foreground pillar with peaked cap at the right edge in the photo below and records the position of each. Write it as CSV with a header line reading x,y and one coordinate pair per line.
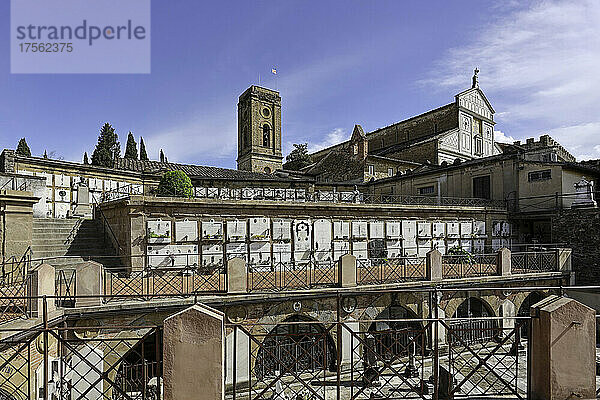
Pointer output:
x,y
563,350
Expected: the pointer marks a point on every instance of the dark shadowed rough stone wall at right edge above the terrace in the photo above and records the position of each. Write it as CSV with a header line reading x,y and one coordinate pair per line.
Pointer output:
x,y
580,229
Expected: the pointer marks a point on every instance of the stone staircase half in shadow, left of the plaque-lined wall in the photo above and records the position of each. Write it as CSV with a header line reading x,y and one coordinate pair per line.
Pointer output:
x,y
64,243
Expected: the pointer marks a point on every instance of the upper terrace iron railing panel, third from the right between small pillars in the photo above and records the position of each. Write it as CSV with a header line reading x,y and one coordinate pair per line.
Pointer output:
x,y
390,270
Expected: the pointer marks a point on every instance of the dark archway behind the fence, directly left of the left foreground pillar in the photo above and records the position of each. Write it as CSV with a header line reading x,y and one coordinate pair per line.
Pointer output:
x,y
140,371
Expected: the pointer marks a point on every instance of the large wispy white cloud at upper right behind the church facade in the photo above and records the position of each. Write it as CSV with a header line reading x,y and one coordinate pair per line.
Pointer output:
x,y
539,67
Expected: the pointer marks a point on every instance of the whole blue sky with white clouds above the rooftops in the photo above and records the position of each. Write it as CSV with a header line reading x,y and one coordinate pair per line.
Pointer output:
x,y
339,63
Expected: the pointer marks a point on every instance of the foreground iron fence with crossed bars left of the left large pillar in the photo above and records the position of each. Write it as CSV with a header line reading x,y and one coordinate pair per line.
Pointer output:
x,y
111,362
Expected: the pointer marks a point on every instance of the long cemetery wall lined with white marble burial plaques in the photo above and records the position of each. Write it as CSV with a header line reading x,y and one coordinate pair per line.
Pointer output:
x,y
204,232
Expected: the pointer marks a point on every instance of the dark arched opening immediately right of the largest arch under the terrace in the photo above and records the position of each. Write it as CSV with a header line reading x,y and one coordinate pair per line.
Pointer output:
x,y
393,338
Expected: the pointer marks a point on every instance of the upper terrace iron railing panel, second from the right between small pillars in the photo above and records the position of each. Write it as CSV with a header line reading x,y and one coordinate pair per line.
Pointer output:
x,y
469,265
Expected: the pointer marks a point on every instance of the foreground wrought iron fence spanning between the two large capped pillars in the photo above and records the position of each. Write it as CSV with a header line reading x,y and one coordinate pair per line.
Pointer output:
x,y
381,359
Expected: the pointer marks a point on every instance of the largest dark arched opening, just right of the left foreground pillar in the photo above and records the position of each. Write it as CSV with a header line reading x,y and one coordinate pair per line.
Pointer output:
x,y
295,346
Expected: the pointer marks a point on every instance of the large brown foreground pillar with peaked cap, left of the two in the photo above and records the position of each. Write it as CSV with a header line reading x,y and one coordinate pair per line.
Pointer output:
x,y
193,354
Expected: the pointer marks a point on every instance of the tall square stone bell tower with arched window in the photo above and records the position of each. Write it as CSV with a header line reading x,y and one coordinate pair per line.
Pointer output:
x,y
259,130
